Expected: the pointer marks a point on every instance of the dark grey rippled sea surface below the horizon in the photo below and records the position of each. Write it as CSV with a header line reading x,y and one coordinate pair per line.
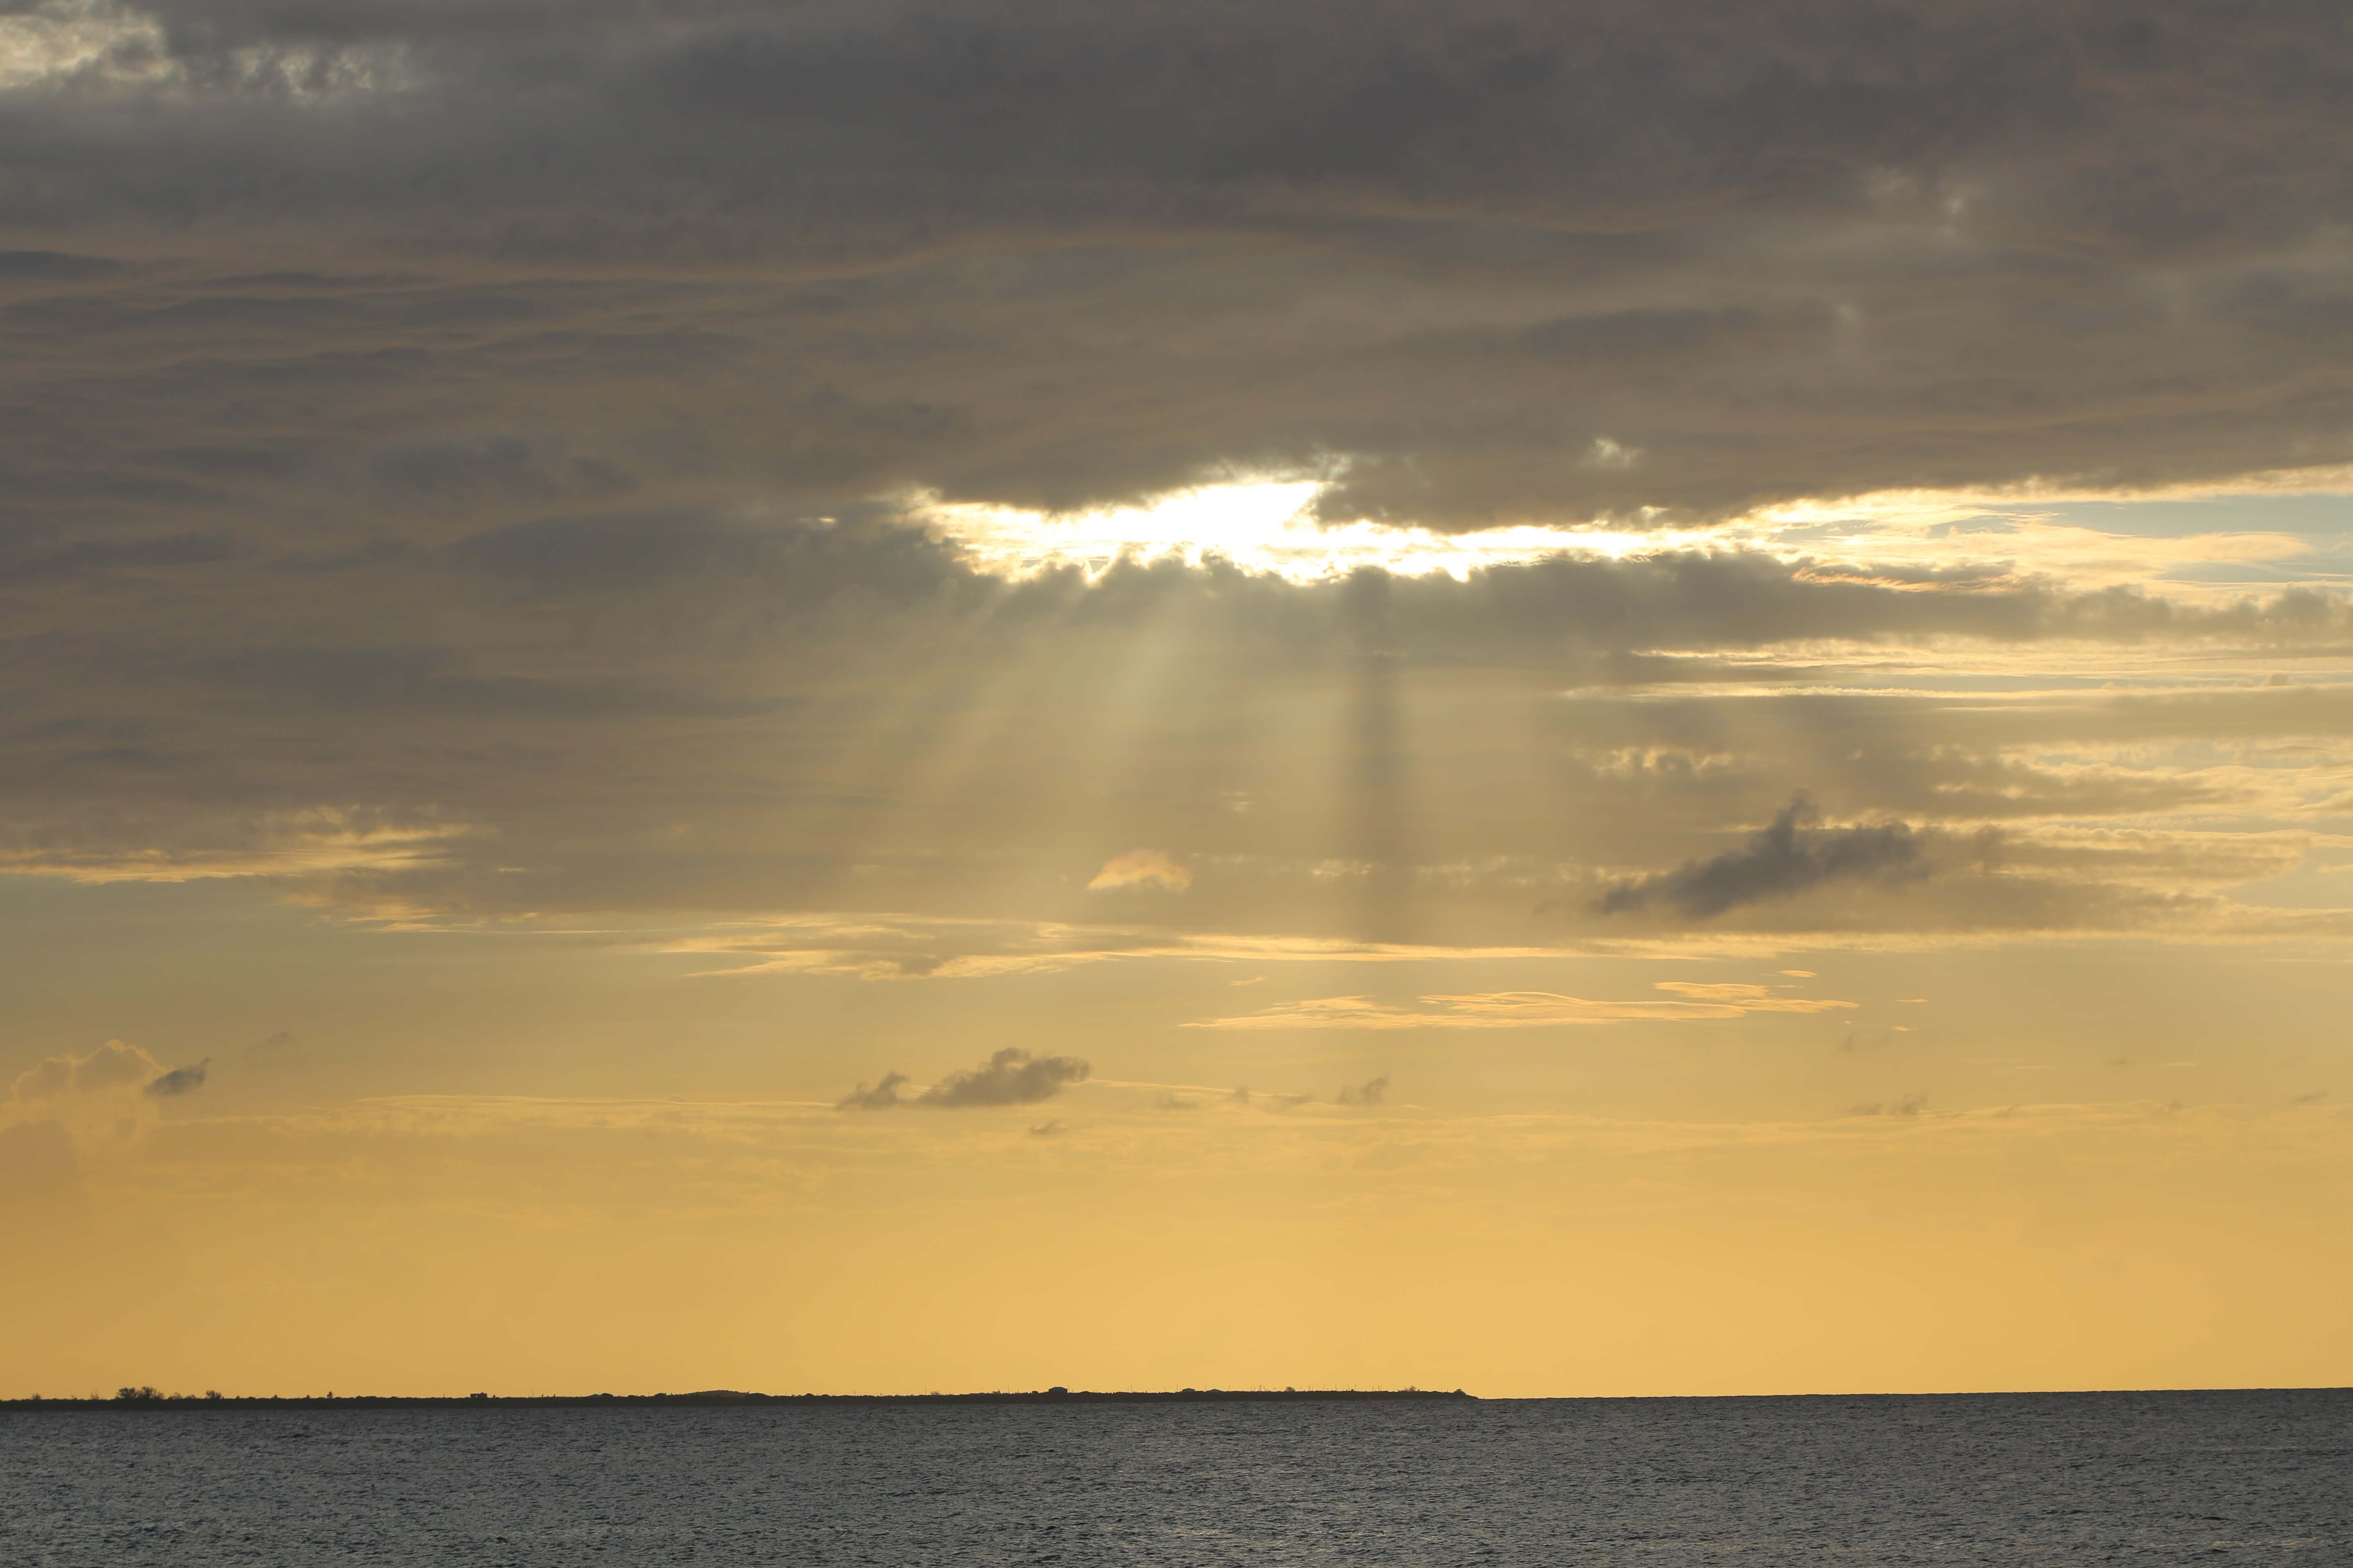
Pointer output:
x,y
1660,1482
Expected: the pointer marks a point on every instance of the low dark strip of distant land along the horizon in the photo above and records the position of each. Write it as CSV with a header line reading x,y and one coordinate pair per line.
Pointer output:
x,y
152,1400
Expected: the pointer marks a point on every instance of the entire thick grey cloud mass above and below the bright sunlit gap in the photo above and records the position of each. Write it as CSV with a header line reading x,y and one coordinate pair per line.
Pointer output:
x,y
455,457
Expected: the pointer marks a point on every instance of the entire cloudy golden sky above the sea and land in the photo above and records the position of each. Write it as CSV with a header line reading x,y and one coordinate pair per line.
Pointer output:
x,y
1615,699
